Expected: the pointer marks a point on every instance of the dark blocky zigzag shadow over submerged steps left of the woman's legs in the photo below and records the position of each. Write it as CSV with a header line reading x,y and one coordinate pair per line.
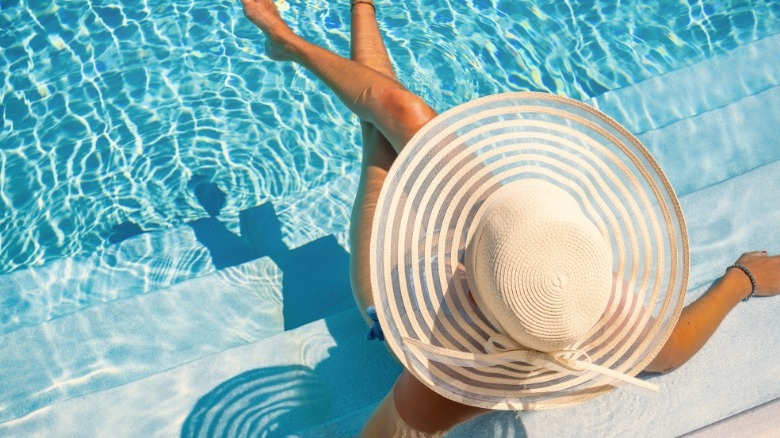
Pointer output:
x,y
315,278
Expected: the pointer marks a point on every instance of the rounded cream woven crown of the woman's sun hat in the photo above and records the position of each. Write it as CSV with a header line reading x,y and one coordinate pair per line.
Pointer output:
x,y
538,267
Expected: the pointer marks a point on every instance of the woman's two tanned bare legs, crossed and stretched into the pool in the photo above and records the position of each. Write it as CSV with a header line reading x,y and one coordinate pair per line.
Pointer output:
x,y
390,115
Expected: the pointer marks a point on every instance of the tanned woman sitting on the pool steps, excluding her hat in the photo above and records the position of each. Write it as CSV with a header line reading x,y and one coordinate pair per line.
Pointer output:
x,y
390,116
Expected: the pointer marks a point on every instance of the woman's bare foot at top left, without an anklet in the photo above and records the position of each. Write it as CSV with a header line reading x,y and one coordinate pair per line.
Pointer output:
x,y
264,15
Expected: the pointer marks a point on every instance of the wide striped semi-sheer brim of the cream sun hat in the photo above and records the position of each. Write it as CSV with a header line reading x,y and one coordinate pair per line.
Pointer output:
x,y
433,198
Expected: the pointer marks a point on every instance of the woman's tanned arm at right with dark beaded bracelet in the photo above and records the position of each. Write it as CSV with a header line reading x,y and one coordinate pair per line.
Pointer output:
x,y
699,320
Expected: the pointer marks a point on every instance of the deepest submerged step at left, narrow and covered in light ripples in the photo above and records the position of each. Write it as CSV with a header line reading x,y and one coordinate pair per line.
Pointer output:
x,y
139,265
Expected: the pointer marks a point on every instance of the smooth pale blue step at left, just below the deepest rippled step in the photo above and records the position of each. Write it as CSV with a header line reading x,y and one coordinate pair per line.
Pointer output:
x,y
118,342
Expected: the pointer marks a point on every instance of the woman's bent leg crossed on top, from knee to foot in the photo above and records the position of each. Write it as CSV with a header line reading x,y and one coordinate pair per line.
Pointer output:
x,y
373,96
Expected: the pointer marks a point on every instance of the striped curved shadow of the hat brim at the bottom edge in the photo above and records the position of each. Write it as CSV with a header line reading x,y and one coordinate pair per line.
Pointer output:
x,y
273,401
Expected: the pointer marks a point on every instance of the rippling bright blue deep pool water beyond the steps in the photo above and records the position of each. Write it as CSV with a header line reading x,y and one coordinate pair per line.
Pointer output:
x,y
109,108
